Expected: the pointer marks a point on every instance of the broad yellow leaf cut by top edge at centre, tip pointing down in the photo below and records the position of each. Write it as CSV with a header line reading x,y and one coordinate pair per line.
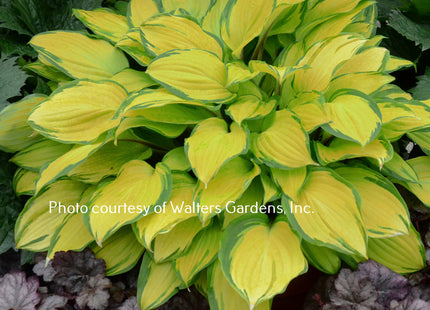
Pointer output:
x,y
244,20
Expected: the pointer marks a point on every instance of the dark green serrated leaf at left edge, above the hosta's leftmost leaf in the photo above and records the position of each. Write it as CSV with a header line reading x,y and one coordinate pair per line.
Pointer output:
x,y
11,79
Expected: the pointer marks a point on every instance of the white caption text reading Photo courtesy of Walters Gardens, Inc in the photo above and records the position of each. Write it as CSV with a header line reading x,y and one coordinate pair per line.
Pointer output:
x,y
170,207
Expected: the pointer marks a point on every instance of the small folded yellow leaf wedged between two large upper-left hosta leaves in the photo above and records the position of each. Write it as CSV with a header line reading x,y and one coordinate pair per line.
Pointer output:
x,y
132,45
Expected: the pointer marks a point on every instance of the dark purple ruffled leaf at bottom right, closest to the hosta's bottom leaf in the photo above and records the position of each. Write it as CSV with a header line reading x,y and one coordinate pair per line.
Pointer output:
x,y
352,292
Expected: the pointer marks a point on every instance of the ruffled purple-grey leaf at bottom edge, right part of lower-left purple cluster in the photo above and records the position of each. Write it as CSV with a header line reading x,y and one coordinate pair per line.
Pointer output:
x,y
95,294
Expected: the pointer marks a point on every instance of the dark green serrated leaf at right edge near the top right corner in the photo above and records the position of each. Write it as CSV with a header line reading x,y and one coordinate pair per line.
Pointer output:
x,y
419,33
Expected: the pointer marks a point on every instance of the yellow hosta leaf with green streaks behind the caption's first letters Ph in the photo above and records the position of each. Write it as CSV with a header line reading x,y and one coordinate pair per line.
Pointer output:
x,y
42,215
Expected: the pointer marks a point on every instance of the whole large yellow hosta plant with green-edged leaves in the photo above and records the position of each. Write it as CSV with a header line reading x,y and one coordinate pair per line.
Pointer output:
x,y
229,142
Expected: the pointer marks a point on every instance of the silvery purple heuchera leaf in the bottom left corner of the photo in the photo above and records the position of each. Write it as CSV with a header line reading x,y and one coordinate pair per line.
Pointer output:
x,y
17,292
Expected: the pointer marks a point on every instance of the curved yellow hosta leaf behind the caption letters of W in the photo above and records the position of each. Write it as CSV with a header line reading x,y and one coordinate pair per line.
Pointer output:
x,y
151,225
